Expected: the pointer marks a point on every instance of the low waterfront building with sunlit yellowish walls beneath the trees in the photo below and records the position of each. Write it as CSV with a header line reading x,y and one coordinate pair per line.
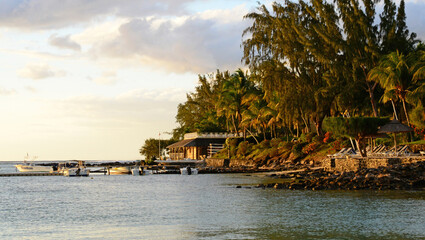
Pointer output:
x,y
198,145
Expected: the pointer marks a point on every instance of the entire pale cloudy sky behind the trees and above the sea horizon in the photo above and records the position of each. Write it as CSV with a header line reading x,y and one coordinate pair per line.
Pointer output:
x,y
93,79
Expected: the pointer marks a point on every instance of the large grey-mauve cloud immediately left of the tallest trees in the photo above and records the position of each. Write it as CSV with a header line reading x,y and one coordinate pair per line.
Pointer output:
x,y
199,43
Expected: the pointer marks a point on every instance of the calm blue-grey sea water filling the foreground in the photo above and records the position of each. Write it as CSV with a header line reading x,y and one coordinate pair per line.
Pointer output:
x,y
199,207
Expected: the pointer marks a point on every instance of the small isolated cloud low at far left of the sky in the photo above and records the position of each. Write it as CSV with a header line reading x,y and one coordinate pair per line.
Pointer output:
x,y
40,71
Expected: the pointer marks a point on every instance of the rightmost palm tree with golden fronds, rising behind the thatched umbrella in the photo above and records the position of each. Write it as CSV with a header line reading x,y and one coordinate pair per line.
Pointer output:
x,y
395,76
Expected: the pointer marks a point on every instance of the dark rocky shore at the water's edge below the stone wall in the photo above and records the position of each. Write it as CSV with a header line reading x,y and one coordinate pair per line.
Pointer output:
x,y
394,177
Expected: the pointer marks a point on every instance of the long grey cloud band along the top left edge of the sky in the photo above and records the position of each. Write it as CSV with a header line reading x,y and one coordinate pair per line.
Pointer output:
x,y
54,14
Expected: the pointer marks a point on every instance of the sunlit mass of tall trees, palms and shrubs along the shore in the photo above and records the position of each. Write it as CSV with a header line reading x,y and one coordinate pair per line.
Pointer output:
x,y
309,60
